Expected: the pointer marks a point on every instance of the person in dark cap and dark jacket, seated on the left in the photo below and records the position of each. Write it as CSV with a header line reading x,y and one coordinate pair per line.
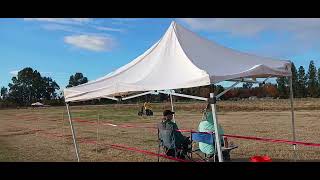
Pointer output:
x,y
180,141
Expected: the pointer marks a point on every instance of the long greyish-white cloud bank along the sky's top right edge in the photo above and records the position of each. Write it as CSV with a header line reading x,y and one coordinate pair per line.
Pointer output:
x,y
254,26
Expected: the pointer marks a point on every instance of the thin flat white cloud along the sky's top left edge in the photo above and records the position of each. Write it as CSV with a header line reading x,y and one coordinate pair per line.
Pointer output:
x,y
74,21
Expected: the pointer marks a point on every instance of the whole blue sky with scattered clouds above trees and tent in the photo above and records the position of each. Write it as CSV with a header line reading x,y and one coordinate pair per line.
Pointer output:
x,y
61,47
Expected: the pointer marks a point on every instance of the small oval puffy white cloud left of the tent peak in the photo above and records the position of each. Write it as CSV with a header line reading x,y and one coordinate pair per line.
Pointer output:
x,y
94,43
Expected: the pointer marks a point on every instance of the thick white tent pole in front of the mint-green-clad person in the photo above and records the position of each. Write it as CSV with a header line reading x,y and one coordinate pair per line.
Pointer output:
x,y
216,132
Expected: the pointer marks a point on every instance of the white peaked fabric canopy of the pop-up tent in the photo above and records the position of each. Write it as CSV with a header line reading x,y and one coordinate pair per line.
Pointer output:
x,y
180,59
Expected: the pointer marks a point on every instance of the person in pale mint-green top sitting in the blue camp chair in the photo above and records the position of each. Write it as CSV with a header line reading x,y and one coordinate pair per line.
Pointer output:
x,y
207,125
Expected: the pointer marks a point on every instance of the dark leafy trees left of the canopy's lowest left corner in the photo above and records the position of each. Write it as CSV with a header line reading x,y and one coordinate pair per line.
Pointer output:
x,y
29,86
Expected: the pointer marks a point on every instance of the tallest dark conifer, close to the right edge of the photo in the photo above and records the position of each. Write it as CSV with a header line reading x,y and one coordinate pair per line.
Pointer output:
x,y
312,83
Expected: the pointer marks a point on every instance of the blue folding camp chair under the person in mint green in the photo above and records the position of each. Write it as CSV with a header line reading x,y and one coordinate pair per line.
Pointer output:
x,y
209,139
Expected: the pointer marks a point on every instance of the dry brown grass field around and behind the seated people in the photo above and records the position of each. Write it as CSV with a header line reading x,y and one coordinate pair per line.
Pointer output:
x,y
26,134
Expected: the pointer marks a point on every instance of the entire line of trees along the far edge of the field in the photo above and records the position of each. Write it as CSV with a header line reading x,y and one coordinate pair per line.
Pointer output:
x,y
30,86
